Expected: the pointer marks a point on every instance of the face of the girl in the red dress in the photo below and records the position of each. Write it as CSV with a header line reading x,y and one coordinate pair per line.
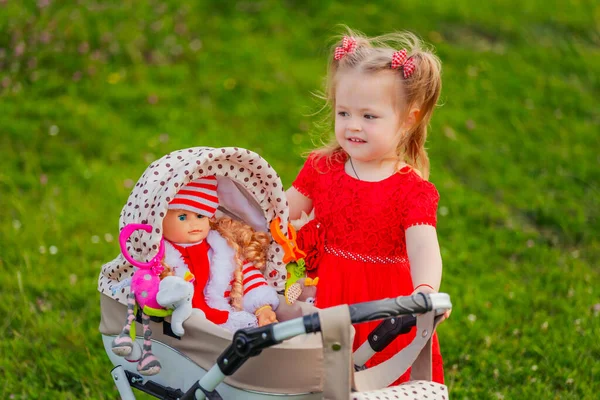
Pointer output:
x,y
368,125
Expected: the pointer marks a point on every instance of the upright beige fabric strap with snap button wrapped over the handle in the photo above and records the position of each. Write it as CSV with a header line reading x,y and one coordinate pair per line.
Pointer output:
x,y
336,329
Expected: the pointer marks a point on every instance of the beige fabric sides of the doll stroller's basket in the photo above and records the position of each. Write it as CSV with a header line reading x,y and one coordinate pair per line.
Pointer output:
x,y
292,367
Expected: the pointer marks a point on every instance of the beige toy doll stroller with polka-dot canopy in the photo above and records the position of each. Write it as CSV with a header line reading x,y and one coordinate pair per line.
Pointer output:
x,y
209,361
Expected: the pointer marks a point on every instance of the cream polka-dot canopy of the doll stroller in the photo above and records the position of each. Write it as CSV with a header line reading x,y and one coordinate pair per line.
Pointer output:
x,y
249,189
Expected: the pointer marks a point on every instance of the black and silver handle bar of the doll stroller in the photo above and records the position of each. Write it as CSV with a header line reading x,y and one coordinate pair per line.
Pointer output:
x,y
250,342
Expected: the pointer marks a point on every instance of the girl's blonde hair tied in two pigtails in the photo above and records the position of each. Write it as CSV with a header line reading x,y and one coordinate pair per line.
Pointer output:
x,y
421,90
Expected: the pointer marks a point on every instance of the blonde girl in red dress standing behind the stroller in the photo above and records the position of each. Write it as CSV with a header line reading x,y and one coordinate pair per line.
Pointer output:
x,y
373,235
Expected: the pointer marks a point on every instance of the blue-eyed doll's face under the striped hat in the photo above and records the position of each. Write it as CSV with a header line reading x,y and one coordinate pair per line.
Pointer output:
x,y
182,226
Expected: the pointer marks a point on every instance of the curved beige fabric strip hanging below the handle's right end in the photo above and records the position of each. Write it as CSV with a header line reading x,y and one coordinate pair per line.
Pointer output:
x,y
390,370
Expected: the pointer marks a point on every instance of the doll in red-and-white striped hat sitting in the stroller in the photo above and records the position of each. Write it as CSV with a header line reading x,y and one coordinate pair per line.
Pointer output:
x,y
225,256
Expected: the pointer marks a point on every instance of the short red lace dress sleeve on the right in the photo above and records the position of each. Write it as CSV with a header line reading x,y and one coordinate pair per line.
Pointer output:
x,y
421,205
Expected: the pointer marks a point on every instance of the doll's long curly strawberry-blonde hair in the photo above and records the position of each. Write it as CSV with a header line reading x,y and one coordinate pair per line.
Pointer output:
x,y
248,244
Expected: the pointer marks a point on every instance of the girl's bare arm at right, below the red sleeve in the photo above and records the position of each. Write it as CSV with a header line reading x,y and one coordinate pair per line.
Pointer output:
x,y
424,255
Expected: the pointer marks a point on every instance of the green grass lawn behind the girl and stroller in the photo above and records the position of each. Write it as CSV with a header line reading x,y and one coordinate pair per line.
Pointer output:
x,y
91,93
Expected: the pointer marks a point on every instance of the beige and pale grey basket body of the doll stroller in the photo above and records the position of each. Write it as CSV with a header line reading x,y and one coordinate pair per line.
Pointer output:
x,y
296,363
